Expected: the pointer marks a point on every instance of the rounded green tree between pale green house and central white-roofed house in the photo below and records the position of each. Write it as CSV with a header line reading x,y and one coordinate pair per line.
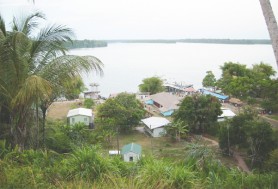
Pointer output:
x,y
124,112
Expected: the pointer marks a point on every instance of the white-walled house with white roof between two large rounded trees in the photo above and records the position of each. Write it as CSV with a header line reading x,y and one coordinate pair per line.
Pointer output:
x,y
155,126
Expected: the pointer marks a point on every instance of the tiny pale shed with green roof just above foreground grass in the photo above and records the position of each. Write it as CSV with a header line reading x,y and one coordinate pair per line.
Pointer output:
x,y
131,152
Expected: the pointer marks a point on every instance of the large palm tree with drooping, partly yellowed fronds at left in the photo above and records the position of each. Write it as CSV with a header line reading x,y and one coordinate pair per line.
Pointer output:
x,y
34,69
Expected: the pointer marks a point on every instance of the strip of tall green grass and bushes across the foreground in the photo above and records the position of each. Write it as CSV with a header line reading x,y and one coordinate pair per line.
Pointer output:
x,y
87,167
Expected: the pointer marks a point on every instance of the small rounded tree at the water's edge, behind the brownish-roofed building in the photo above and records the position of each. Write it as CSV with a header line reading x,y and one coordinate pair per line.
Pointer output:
x,y
152,85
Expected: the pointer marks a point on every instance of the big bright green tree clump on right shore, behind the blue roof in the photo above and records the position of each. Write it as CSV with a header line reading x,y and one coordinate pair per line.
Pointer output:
x,y
242,82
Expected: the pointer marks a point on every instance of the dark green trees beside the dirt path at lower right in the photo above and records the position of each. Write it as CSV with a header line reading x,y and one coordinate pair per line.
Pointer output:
x,y
246,130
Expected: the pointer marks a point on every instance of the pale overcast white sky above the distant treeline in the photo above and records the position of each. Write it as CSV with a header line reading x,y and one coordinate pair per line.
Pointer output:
x,y
149,19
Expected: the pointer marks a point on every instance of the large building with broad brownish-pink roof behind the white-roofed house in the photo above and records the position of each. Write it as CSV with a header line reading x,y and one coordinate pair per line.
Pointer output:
x,y
165,102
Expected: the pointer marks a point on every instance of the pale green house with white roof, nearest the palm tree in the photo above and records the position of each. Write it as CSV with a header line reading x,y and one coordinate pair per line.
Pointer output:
x,y
81,115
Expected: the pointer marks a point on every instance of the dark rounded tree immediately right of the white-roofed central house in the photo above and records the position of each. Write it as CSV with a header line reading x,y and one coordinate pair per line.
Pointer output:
x,y
199,111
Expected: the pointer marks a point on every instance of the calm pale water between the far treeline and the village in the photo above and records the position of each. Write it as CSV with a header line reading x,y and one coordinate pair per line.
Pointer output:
x,y
125,65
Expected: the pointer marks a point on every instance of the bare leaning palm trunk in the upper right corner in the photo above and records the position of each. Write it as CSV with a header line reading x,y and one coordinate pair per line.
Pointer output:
x,y
271,25
